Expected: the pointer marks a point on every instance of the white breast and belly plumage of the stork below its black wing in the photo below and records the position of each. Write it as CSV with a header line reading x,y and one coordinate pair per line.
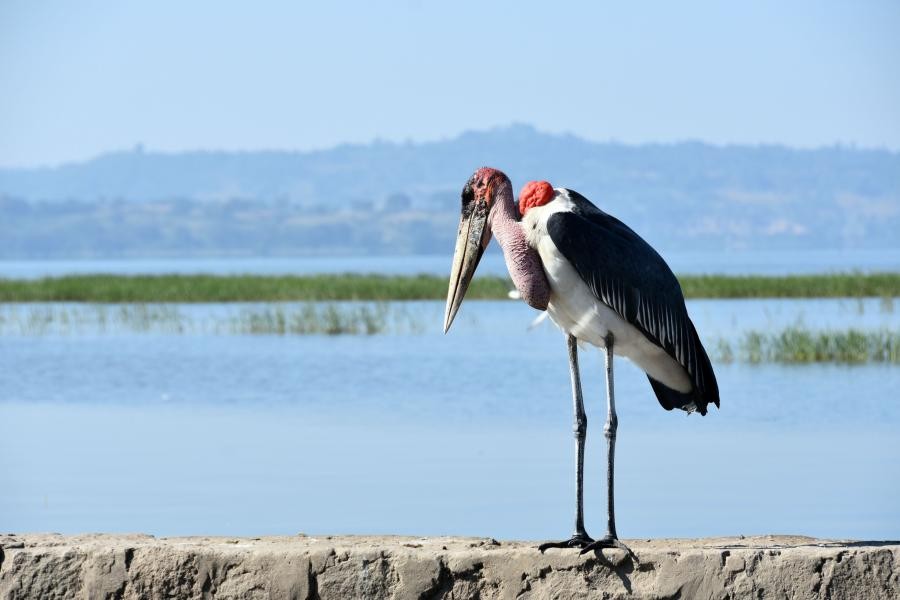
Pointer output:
x,y
575,309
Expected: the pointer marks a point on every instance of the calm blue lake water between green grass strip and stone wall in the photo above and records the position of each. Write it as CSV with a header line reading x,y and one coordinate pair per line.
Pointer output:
x,y
421,433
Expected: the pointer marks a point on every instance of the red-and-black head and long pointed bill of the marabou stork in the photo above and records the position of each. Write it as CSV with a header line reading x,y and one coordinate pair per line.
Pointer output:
x,y
478,197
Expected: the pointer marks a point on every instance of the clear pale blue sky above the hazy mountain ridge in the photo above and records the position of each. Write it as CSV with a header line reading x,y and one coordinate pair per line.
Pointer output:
x,y
81,78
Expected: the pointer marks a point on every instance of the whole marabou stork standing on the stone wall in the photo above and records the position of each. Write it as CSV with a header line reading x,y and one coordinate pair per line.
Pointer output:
x,y
602,284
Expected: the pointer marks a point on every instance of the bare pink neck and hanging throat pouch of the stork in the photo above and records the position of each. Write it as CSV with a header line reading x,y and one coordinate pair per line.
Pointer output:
x,y
522,261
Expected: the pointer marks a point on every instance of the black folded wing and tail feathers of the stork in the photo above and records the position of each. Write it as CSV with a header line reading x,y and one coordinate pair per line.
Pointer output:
x,y
628,275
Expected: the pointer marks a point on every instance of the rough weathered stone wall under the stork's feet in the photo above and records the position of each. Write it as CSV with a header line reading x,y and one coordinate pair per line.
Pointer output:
x,y
303,567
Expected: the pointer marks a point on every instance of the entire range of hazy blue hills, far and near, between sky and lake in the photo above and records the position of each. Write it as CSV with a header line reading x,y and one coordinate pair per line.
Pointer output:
x,y
403,198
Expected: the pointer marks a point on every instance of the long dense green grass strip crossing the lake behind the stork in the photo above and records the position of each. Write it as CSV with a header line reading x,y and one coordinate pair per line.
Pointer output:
x,y
266,288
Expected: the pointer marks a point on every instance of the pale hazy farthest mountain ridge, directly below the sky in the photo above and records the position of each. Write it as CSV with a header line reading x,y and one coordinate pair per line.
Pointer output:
x,y
361,170
